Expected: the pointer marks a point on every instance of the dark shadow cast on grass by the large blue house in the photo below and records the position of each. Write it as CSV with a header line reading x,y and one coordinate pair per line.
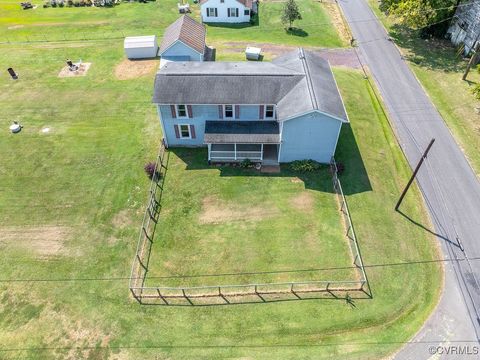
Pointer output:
x,y
354,178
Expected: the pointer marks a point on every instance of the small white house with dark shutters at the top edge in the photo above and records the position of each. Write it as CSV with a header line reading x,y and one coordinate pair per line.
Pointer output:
x,y
228,11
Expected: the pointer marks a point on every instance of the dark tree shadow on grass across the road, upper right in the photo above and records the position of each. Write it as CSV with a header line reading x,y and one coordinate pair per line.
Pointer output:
x,y
432,53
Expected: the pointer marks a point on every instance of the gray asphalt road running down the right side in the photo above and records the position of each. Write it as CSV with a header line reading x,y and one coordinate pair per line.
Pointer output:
x,y
449,186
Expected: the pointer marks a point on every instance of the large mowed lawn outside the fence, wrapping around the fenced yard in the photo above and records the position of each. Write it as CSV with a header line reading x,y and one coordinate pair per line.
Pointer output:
x,y
71,203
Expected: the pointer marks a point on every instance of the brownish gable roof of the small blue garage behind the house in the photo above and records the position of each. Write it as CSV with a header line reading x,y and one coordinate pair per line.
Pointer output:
x,y
188,31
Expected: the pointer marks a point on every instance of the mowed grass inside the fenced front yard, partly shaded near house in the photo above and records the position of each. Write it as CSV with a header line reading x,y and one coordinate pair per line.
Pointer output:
x,y
258,228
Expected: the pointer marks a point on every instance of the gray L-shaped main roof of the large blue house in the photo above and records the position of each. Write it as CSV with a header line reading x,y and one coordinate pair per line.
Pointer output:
x,y
297,82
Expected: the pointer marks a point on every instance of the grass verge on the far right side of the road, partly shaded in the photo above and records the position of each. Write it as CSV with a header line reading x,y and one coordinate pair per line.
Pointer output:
x,y
439,69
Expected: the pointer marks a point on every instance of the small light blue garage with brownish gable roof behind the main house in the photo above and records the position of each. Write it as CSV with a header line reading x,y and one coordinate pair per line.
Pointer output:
x,y
184,40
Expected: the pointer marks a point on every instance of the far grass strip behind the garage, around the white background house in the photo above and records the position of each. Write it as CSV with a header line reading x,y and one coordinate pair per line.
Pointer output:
x,y
128,19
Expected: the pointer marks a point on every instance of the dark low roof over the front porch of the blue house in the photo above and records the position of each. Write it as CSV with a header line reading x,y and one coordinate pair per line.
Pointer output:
x,y
241,132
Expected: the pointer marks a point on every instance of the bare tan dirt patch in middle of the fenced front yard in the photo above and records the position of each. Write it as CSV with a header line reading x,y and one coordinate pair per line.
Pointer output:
x,y
215,211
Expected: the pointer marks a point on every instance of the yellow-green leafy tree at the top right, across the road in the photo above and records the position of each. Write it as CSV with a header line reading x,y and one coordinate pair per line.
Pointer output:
x,y
418,14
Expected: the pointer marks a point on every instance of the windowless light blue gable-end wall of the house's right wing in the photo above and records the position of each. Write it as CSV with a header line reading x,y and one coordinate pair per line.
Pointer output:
x,y
312,136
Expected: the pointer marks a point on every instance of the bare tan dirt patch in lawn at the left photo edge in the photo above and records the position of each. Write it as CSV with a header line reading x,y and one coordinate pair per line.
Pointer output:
x,y
42,240
